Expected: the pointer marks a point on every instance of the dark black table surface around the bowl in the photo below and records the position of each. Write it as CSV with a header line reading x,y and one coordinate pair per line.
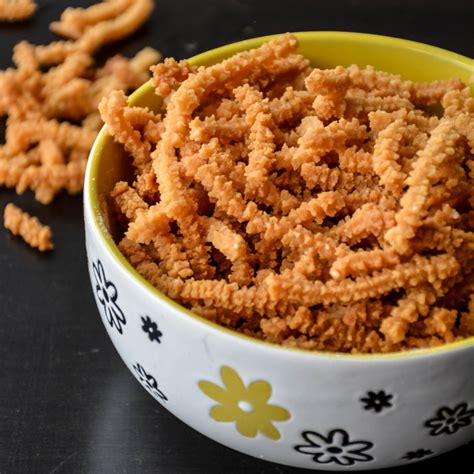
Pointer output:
x,y
67,402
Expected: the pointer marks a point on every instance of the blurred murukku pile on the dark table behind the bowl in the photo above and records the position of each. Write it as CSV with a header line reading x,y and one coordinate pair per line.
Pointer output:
x,y
50,98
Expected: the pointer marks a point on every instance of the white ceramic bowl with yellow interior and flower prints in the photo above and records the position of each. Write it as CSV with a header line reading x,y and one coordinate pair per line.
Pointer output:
x,y
304,409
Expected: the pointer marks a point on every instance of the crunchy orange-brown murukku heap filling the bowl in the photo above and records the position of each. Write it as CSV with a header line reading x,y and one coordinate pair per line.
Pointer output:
x,y
319,209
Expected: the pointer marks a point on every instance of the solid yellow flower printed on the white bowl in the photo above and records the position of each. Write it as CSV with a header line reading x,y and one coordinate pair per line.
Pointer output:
x,y
246,406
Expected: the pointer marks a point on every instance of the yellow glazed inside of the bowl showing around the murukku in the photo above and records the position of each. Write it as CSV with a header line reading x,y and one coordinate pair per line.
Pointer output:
x,y
415,61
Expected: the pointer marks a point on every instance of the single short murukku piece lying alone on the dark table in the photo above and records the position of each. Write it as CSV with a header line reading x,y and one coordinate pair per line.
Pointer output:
x,y
29,228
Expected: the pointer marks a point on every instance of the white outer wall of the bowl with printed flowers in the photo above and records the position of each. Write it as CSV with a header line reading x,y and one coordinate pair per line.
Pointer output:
x,y
302,410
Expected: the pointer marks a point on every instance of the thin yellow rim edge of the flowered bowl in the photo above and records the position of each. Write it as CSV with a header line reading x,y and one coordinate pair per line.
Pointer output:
x,y
91,200
